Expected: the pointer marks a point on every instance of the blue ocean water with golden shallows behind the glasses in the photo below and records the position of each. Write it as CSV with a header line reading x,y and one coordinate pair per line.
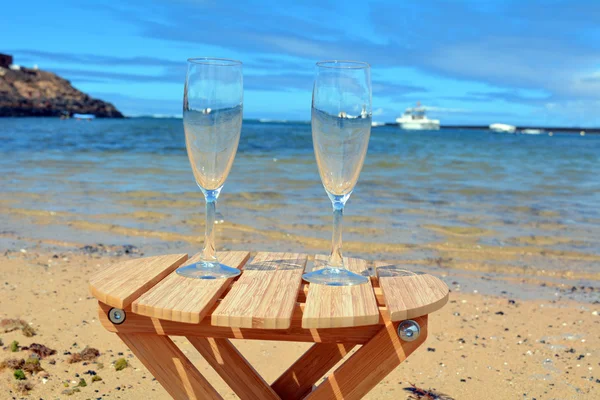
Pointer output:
x,y
526,202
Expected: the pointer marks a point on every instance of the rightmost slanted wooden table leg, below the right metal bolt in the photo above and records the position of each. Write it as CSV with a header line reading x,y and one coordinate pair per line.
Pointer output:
x,y
369,365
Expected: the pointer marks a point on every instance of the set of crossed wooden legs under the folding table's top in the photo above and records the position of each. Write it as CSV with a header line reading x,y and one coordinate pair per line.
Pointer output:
x,y
354,378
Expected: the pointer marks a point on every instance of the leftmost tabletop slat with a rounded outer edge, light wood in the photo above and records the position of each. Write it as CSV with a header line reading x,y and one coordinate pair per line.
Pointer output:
x,y
120,284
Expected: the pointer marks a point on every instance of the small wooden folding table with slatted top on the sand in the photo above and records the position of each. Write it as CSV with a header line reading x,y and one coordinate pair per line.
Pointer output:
x,y
144,302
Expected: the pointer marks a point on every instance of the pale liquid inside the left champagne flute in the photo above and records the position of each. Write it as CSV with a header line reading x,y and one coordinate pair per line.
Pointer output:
x,y
212,139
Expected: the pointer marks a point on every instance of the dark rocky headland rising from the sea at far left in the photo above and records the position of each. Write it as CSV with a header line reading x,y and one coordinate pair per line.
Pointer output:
x,y
27,92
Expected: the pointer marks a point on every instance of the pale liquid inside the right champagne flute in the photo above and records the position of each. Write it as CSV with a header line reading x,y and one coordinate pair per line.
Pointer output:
x,y
340,148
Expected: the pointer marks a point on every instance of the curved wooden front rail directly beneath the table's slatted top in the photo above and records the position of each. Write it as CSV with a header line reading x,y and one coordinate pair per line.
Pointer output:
x,y
135,323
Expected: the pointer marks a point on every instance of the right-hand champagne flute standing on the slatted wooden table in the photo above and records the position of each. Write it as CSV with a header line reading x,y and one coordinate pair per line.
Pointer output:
x,y
341,126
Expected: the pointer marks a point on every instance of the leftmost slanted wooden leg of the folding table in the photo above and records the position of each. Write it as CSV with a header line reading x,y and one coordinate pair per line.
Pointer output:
x,y
170,367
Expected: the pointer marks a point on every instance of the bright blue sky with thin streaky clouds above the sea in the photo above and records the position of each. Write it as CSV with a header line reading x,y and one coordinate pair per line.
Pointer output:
x,y
473,62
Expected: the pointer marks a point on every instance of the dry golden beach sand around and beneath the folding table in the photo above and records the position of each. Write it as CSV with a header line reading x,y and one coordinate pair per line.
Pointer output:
x,y
478,347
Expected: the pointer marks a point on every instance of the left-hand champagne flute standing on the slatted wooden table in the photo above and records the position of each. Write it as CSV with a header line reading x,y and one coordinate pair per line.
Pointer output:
x,y
212,120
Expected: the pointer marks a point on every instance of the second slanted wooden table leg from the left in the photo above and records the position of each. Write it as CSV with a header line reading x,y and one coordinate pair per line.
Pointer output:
x,y
229,363
